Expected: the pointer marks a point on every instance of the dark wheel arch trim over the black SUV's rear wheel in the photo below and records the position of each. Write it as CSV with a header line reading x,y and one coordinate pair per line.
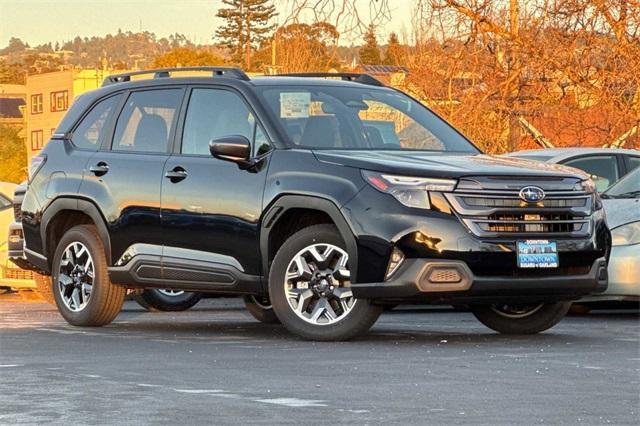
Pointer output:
x,y
80,205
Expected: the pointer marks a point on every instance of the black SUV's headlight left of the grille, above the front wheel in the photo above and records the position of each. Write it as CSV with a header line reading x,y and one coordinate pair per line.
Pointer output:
x,y
410,191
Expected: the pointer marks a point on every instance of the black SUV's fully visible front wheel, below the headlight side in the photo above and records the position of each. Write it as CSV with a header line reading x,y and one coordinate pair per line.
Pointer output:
x,y
309,287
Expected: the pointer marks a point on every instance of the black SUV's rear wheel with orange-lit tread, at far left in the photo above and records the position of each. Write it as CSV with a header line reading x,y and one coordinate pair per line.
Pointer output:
x,y
83,292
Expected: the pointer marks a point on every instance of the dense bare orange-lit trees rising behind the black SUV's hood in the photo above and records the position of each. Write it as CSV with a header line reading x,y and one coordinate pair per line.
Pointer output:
x,y
548,71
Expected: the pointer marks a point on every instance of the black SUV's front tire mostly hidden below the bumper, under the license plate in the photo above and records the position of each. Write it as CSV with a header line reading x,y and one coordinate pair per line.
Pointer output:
x,y
521,319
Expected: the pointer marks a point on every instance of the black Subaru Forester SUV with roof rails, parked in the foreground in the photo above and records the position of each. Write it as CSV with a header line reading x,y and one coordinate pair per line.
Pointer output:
x,y
320,198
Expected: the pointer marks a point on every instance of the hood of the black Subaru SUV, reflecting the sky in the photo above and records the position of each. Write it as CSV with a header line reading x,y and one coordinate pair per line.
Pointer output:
x,y
432,164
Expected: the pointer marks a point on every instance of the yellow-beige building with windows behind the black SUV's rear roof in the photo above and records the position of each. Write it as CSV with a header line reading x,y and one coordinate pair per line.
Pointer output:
x,y
49,96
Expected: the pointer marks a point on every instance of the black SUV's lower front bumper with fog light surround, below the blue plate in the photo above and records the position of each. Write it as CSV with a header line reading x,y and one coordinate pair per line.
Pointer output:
x,y
426,280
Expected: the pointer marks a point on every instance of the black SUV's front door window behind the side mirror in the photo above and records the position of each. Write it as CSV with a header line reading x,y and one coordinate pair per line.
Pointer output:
x,y
212,114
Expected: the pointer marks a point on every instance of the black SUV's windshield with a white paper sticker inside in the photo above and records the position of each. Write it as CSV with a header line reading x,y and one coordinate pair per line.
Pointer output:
x,y
335,117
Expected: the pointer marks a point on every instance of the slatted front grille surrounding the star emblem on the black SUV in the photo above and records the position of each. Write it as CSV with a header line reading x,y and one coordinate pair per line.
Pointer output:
x,y
491,207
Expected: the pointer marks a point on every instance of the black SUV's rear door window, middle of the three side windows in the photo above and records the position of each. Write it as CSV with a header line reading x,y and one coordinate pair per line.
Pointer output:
x,y
147,121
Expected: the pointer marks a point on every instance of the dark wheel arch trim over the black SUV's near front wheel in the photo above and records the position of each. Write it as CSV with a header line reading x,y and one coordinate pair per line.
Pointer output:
x,y
286,202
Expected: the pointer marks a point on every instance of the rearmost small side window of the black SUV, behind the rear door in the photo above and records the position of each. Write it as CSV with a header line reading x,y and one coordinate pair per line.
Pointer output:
x,y
88,134
